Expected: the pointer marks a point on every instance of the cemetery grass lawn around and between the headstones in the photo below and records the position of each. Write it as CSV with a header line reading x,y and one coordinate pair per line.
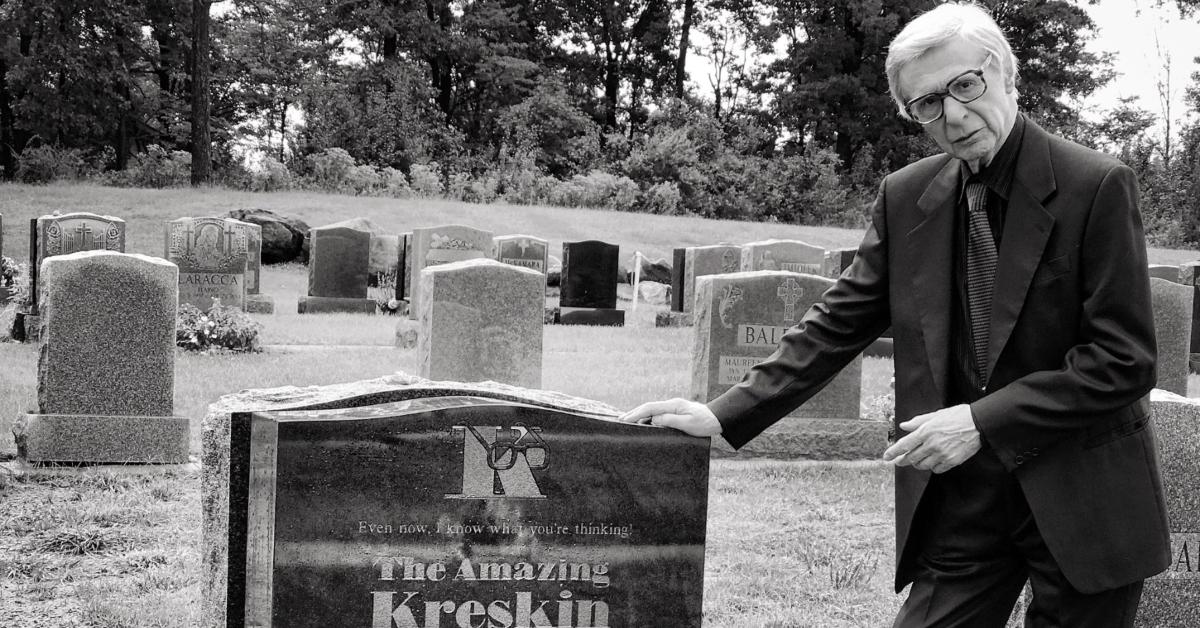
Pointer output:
x,y
790,545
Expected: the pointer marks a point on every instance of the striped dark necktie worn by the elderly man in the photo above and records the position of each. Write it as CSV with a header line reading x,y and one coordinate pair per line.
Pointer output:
x,y
981,273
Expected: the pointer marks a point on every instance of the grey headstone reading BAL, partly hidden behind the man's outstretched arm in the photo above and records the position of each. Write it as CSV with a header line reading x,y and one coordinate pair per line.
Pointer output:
x,y
741,319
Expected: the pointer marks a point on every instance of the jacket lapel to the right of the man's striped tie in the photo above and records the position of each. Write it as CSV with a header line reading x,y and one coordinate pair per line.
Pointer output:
x,y
1028,228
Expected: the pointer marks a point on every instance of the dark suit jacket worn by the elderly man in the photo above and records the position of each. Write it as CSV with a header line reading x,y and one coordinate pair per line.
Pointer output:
x,y
1071,361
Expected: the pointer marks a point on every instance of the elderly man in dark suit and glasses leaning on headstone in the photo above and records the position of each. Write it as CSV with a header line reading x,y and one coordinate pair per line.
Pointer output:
x,y
1012,270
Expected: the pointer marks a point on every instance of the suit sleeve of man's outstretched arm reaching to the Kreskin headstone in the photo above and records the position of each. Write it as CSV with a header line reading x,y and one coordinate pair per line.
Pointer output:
x,y
853,314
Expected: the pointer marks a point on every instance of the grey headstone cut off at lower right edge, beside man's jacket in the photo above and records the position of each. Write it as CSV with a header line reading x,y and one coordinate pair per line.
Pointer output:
x,y
1172,599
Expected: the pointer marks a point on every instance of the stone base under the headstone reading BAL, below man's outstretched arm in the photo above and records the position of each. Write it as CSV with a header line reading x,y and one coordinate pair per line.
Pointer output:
x,y
801,439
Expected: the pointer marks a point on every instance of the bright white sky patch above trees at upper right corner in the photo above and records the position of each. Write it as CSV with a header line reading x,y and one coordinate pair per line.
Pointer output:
x,y
1129,28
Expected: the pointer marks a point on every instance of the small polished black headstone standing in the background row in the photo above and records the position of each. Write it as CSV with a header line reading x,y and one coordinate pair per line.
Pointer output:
x,y
589,289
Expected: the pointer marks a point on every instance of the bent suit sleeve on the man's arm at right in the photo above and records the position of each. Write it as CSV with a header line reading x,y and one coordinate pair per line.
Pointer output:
x,y
1113,364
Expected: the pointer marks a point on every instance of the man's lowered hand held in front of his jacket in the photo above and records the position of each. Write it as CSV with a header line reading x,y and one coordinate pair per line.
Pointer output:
x,y
940,441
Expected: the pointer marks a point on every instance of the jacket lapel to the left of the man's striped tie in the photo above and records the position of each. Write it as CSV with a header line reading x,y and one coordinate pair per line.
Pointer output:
x,y
931,253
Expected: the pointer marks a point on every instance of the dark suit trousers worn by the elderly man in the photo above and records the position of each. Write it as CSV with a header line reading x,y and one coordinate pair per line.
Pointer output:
x,y
977,545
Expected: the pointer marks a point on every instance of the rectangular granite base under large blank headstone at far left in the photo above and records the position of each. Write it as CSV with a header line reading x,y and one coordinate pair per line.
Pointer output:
x,y
87,439
